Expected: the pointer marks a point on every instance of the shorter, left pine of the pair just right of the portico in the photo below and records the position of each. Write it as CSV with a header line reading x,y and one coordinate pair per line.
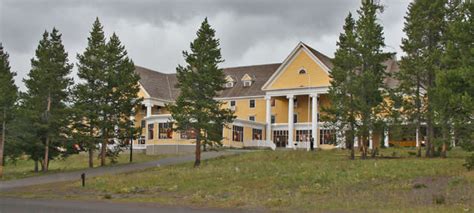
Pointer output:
x,y
342,110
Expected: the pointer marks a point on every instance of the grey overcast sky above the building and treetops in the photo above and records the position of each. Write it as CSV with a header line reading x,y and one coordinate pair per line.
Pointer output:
x,y
156,32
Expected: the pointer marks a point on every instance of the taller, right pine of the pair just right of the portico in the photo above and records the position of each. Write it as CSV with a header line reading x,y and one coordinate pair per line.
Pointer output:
x,y
369,83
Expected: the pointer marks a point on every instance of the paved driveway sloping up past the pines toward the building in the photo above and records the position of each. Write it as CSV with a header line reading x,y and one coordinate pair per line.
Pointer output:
x,y
71,176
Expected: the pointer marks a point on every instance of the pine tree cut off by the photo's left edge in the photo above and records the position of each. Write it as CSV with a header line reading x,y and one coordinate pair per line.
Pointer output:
x,y
8,97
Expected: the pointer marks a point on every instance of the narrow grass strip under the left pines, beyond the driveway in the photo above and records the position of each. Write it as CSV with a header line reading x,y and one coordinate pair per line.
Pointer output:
x,y
25,168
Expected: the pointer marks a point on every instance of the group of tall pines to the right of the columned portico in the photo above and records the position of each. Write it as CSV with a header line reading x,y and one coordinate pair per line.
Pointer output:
x,y
435,82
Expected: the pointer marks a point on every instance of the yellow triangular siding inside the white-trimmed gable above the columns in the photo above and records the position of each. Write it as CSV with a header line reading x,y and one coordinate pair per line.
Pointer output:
x,y
290,77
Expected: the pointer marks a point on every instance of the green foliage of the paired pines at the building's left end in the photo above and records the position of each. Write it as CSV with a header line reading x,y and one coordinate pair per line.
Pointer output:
x,y
104,102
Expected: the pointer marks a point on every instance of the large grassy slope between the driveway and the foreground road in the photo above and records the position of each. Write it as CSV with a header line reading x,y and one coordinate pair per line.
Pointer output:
x,y
290,181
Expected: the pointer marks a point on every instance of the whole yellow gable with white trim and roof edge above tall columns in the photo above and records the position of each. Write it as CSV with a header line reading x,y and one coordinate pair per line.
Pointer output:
x,y
290,75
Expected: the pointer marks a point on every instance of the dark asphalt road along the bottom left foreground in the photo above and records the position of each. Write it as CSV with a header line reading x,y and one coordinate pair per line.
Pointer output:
x,y
14,205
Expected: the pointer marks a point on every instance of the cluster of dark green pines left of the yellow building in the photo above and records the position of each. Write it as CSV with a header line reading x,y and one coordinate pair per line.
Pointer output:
x,y
55,117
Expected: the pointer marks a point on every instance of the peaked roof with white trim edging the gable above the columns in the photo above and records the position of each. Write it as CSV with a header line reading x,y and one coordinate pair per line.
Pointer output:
x,y
322,60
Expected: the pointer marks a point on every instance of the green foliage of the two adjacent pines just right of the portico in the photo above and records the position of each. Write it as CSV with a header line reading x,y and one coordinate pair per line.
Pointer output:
x,y
357,87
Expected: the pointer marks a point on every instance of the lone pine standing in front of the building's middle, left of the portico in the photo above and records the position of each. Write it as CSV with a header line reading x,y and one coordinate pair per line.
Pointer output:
x,y
199,82
